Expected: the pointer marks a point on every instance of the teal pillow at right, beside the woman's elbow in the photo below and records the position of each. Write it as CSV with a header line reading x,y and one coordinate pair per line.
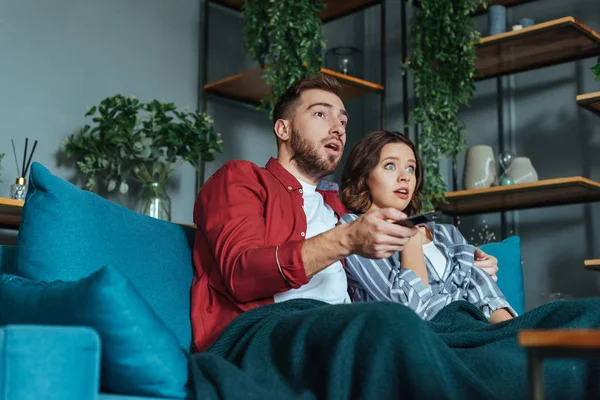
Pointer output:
x,y
510,272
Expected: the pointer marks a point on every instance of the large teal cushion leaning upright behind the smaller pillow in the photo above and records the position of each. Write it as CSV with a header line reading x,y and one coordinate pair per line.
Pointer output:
x,y
67,233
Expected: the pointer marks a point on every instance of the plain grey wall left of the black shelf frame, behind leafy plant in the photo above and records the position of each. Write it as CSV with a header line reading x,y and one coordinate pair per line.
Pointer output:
x,y
61,57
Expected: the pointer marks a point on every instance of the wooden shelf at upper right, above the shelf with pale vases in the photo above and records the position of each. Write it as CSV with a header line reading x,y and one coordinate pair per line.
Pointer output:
x,y
541,45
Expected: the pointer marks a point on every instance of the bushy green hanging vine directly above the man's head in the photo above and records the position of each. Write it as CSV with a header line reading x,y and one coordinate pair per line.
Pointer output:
x,y
286,38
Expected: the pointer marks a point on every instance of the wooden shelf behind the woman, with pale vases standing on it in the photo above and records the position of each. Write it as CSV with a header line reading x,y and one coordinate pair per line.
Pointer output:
x,y
545,193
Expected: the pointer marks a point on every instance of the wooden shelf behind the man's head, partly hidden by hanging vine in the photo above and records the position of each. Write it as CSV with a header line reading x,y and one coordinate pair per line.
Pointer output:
x,y
249,87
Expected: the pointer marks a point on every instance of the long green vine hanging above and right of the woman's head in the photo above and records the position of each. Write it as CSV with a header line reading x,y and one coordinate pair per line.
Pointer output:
x,y
443,63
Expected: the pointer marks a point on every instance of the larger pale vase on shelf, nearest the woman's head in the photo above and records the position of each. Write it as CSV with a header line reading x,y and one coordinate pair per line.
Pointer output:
x,y
480,168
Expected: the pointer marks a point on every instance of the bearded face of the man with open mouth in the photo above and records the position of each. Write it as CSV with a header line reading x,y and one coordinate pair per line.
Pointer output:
x,y
318,133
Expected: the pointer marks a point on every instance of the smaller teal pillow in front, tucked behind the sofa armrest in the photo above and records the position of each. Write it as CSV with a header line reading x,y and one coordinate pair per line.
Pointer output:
x,y
140,355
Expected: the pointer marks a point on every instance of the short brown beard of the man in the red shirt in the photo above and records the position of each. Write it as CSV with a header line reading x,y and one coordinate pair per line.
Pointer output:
x,y
308,160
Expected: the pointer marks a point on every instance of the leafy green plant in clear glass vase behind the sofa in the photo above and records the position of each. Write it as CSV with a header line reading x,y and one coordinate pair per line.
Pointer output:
x,y
130,141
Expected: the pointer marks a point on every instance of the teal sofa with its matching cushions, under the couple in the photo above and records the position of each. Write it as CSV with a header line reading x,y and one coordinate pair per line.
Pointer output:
x,y
95,298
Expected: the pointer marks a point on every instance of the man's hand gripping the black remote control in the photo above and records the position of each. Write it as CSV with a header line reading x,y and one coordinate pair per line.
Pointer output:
x,y
373,236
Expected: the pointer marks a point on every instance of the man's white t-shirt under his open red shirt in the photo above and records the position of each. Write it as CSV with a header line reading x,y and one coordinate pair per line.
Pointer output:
x,y
329,285
